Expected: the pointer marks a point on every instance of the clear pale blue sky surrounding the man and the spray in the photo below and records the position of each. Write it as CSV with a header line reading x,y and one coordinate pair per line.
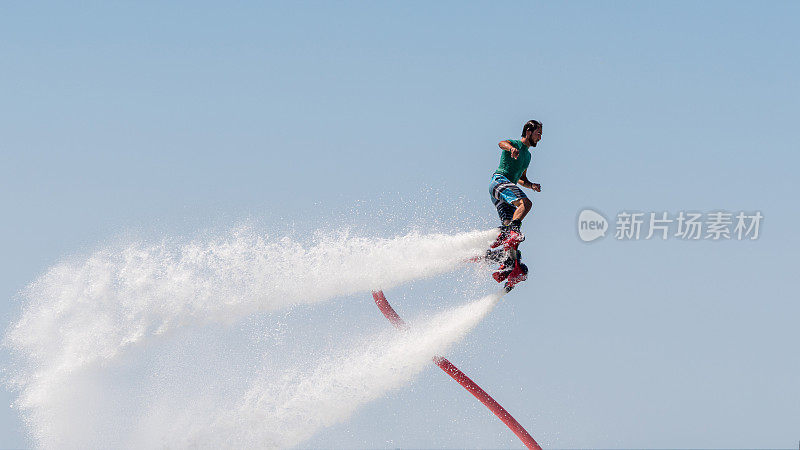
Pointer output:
x,y
169,119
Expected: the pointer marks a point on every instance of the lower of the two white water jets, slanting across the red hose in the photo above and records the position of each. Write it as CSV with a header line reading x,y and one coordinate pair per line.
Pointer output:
x,y
279,410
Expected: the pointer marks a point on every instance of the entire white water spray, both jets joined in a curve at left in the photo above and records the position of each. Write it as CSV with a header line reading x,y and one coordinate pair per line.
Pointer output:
x,y
81,318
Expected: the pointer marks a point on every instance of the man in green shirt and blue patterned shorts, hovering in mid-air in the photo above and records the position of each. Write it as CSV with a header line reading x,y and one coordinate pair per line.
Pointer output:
x,y
511,203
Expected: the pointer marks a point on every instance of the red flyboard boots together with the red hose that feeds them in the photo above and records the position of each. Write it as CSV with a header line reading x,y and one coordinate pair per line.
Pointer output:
x,y
512,271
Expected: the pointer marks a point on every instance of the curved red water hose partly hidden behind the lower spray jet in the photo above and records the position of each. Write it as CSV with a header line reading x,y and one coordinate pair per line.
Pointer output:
x,y
461,377
